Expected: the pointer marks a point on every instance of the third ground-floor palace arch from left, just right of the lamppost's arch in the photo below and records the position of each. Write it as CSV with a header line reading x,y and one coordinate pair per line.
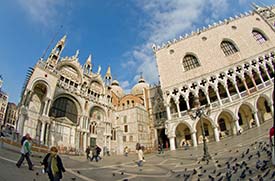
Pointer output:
x,y
226,124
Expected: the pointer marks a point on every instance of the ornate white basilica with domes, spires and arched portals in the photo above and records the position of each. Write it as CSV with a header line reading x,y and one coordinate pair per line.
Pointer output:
x,y
70,106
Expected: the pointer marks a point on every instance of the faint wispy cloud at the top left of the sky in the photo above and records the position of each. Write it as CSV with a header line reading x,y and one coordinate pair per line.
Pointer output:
x,y
46,12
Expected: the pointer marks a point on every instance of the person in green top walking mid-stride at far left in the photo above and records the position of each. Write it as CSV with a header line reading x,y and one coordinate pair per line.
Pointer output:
x,y
25,153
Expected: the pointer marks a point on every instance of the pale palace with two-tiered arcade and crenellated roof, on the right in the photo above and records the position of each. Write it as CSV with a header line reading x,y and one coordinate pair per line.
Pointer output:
x,y
228,65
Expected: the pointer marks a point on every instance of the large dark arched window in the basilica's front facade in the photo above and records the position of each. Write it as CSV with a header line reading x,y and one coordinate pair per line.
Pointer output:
x,y
64,107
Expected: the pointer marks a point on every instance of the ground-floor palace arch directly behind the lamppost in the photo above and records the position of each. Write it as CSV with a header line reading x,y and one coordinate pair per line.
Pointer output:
x,y
209,132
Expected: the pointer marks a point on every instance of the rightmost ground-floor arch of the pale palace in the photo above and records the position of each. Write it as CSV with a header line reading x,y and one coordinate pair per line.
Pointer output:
x,y
264,111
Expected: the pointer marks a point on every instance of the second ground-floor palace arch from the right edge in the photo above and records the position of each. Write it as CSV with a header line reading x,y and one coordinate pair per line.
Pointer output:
x,y
246,118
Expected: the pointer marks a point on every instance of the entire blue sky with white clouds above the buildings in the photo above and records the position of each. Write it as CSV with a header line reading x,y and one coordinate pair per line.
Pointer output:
x,y
119,33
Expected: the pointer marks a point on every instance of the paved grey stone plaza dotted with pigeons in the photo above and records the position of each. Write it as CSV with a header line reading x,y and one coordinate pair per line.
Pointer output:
x,y
243,157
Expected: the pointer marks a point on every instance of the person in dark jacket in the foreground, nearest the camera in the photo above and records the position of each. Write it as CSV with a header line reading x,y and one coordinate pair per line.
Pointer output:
x,y
53,165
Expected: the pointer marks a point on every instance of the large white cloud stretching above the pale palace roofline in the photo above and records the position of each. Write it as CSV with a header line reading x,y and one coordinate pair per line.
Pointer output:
x,y
167,20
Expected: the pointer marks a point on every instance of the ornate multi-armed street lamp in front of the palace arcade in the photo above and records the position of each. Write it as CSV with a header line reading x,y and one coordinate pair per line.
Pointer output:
x,y
201,112
